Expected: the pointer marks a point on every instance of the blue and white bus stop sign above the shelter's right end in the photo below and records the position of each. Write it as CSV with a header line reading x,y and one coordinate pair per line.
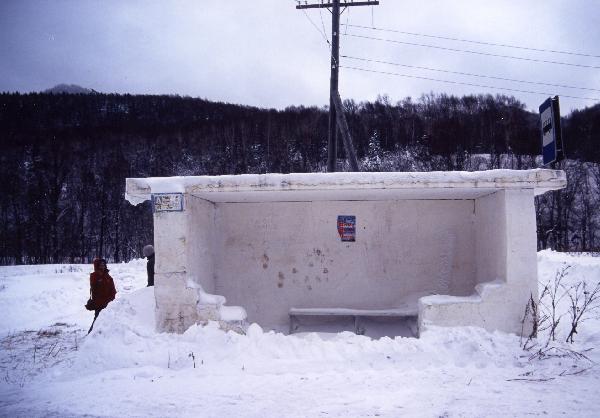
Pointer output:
x,y
552,144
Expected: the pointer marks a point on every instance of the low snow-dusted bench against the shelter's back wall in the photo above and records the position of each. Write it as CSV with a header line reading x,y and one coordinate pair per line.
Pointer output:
x,y
407,312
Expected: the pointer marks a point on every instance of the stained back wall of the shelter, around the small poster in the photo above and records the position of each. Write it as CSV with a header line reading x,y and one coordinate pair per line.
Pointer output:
x,y
276,255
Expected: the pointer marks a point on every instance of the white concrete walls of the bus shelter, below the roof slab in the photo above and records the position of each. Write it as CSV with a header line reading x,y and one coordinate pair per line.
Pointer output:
x,y
271,256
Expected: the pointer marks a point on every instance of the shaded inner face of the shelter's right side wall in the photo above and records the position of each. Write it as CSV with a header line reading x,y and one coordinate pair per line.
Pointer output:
x,y
490,230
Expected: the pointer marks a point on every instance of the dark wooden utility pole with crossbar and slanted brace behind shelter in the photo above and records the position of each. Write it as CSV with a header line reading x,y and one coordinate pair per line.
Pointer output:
x,y
334,7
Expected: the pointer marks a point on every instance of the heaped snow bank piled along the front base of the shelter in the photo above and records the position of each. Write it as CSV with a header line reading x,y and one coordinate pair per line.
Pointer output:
x,y
122,340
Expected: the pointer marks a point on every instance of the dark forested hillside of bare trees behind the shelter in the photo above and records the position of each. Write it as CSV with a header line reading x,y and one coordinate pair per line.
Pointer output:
x,y
64,159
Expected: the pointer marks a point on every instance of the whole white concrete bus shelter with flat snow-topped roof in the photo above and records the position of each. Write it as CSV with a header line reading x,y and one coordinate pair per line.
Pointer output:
x,y
450,248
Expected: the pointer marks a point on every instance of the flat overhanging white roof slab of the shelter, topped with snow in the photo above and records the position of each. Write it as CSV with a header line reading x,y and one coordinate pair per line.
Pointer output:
x,y
347,186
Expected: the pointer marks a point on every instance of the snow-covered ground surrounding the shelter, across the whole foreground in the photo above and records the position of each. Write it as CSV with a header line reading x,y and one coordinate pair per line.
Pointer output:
x,y
49,367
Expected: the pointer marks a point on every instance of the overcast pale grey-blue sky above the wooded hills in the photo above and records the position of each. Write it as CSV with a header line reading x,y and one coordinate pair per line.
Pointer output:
x,y
267,53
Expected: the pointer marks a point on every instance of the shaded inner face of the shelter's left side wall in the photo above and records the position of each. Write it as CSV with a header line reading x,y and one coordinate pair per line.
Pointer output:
x,y
200,247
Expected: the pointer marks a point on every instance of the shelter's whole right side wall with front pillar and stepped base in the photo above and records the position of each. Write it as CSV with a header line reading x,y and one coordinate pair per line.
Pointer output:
x,y
499,305
